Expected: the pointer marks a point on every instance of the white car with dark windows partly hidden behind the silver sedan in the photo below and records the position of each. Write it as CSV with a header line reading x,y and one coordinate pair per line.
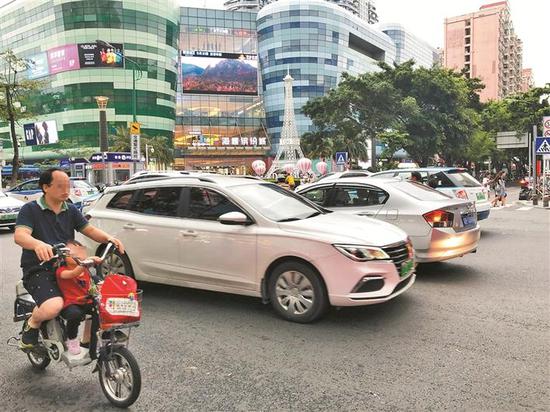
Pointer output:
x,y
453,181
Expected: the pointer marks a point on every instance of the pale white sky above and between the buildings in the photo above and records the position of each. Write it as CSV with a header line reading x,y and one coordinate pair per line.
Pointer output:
x,y
424,18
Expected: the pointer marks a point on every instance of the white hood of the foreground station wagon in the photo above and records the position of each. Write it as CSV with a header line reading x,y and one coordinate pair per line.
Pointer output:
x,y
343,228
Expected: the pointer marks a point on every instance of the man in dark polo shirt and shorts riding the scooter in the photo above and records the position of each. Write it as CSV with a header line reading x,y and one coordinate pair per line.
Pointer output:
x,y
41,224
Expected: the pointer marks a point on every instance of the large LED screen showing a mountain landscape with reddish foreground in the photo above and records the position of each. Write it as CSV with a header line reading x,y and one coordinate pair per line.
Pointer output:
x,y
219,73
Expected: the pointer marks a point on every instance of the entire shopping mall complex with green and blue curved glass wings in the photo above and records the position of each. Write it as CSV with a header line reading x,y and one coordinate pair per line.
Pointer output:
x,y
212,80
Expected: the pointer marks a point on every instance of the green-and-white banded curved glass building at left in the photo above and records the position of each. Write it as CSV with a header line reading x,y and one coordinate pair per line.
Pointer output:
x,y
59,36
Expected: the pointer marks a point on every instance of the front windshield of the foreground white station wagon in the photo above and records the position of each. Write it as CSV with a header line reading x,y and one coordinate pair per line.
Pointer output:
x,y
276,203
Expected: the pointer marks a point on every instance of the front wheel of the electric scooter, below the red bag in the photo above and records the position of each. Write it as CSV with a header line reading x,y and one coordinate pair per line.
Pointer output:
x,y
119,377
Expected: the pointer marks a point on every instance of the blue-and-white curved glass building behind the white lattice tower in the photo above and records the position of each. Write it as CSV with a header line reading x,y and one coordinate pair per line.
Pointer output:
x,y
315,41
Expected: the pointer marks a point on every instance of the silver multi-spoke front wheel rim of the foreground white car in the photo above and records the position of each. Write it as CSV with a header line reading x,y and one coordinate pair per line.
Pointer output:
x,y
294,292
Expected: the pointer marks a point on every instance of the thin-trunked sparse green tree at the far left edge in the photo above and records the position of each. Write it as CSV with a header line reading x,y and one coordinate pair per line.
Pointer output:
x,y
14,91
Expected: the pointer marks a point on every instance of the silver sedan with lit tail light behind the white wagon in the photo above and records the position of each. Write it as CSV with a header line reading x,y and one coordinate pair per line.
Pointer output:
x,y
440,227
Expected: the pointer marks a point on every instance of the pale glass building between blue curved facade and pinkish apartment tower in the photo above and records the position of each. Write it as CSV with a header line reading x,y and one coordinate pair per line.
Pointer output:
x,y
408,46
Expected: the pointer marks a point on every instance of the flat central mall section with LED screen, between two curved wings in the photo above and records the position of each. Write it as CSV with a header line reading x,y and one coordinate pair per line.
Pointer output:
x,y
220,117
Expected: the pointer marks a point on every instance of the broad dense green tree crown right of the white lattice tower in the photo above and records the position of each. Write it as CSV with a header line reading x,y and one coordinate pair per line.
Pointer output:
x,y
425,111
